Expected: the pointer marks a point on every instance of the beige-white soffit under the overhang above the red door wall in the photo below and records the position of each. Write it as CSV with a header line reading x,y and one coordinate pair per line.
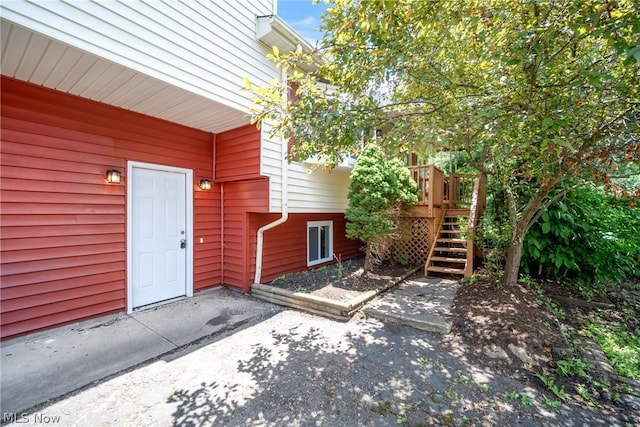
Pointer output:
x,y
32,57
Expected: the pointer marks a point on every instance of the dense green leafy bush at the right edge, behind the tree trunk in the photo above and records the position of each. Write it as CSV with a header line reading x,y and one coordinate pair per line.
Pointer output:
x,y
589,236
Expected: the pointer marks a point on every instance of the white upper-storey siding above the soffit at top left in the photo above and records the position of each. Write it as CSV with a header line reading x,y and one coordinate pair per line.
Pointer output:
x,y
203,47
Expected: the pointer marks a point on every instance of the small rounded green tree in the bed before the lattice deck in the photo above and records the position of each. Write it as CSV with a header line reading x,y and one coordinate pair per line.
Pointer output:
x,y
377,186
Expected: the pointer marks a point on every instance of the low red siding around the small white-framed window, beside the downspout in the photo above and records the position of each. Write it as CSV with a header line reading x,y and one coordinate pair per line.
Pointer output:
x,y
285,246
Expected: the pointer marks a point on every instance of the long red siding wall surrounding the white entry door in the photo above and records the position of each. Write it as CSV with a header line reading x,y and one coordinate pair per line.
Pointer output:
x,y
63,227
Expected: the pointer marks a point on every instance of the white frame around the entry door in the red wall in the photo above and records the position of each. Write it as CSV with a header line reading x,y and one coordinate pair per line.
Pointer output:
x,y
188,232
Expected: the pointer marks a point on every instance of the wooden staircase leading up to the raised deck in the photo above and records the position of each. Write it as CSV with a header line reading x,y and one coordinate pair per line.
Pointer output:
x,y
452,248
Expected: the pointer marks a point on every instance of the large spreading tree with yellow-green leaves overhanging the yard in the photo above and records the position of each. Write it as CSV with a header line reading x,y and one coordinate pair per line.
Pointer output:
x,y
542,95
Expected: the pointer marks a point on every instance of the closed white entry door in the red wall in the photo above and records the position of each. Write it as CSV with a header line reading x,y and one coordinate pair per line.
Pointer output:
x,y
158,235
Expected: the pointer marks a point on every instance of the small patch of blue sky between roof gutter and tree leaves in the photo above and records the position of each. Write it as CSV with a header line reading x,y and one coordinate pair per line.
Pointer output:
x,y
303,16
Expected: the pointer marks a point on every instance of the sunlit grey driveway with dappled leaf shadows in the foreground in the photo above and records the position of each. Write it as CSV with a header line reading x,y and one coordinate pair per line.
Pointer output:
x,y
297,369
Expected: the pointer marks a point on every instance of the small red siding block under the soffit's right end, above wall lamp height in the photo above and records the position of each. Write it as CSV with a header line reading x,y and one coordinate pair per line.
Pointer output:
x,y
238,154
